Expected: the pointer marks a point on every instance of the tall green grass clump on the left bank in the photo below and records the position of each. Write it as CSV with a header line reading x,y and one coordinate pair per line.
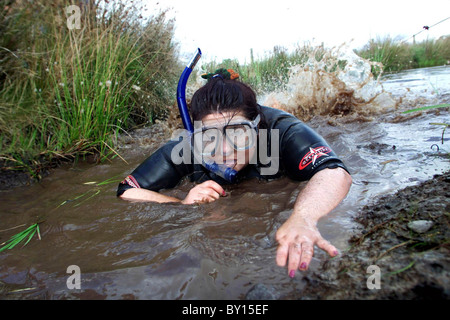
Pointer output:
x,y
67,92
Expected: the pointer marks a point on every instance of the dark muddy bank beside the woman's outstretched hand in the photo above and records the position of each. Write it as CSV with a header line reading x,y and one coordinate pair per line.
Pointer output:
x,y
414,263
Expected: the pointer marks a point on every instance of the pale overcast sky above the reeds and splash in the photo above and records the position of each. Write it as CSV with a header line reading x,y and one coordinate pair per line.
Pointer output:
x,y
230,28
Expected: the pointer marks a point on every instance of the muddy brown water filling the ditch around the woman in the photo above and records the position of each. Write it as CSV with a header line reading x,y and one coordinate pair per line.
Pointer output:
x,y
138,250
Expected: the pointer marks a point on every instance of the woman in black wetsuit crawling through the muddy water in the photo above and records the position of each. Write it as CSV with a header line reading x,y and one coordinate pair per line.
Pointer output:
x,y
256,142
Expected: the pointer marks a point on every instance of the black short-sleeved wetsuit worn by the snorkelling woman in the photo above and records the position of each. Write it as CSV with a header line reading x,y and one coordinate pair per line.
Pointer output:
x,y
302,153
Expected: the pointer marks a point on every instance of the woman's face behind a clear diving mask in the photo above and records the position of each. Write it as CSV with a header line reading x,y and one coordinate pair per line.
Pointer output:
x,y
235,145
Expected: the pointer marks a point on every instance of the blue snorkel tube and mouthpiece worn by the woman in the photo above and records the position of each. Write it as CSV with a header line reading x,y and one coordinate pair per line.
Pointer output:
x,y
219,169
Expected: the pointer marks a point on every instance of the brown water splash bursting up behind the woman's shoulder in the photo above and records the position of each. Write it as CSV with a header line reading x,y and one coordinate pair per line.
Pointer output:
x,y
340,83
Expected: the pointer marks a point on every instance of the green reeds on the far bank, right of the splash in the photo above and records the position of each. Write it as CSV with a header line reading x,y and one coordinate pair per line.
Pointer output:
x,y
397,55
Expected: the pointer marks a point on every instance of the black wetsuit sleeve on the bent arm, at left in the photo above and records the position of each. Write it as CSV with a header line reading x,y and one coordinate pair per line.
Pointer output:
x,y
156,172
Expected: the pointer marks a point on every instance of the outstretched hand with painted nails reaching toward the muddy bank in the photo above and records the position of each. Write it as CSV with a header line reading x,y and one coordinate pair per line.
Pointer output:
x,y
296,240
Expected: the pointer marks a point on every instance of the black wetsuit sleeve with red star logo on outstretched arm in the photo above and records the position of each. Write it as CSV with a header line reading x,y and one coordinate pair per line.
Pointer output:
x,y
304,152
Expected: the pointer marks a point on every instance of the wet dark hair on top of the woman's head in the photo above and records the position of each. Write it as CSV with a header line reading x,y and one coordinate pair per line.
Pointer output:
x,y
221,95
